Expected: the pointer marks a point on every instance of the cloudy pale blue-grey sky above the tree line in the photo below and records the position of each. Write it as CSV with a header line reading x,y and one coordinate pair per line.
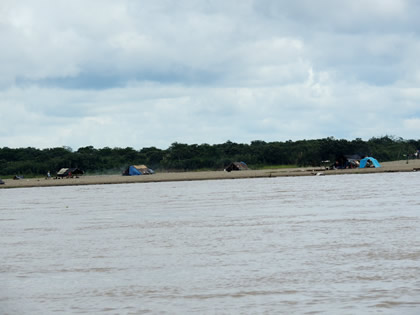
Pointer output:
x,y
134,73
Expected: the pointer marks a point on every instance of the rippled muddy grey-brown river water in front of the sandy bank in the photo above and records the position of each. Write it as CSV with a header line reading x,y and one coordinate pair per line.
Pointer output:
x,y
344,244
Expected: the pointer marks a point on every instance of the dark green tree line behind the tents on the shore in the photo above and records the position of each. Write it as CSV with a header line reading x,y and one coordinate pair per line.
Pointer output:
x,y
189,157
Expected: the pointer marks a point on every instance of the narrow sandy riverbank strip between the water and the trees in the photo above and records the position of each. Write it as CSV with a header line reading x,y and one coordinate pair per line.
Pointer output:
x,y
395,166
